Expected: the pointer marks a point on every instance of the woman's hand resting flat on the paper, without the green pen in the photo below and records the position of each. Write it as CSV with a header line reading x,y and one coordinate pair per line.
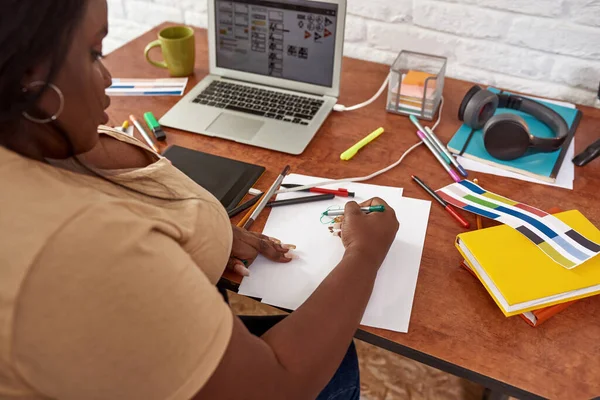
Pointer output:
x,y
248,245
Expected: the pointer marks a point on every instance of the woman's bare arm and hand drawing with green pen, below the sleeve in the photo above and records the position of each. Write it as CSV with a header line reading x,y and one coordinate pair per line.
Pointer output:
x,y
297,357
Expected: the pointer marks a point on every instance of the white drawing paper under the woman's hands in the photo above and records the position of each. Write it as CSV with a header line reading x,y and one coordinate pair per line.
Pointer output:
x,y
289,285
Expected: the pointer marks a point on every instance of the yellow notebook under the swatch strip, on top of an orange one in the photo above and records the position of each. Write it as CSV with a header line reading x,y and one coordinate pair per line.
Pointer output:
x,y
519,276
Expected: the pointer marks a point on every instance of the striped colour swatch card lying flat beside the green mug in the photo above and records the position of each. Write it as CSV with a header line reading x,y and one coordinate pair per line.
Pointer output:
x,y
147,87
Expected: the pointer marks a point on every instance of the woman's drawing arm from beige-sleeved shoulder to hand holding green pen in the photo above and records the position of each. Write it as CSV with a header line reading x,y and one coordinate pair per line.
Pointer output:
x,y
115,309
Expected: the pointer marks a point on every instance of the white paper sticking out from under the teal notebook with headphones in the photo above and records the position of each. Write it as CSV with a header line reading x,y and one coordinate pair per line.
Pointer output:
x,y
564,178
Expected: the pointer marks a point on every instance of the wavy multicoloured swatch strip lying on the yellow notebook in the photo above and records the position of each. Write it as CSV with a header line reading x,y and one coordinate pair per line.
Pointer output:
x,y
559,241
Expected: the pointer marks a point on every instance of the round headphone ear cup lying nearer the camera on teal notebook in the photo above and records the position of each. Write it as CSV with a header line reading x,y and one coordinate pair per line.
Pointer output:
x,y
506,136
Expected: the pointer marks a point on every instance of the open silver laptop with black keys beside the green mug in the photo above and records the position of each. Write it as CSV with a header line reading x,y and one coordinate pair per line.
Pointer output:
x,y
274,73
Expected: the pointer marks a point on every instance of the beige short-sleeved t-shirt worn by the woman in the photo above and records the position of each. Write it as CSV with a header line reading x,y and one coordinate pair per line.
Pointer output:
x,y
106,293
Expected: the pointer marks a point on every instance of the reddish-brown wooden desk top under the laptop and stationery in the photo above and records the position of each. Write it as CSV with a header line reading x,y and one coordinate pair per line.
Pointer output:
x,y
455,325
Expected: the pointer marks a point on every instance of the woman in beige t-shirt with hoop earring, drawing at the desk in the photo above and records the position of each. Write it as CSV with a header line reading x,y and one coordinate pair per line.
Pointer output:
x,y
110,256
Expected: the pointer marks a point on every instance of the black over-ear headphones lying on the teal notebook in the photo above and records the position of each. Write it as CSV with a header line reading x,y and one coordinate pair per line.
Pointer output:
x,y
507,136
